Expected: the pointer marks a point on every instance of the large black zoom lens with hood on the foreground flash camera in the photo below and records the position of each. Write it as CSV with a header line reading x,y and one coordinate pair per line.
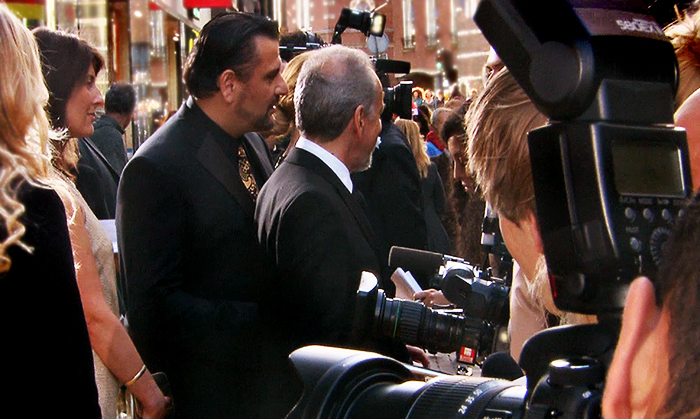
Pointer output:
x,y
342,383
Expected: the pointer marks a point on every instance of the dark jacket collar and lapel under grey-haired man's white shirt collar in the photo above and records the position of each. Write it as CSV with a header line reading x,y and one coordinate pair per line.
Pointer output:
x,y
316,165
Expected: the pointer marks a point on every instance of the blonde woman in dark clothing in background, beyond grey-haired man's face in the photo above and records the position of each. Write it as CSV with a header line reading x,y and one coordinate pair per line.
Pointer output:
x,y
434,204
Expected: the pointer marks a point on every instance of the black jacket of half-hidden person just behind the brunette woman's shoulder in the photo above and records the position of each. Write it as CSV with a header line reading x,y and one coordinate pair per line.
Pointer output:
x,y
97,180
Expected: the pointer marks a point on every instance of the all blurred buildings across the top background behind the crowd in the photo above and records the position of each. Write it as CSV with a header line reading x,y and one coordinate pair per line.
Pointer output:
x,y
145,42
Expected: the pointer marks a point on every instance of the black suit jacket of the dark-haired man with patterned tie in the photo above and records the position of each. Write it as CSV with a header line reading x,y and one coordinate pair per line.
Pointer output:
x,y
192,265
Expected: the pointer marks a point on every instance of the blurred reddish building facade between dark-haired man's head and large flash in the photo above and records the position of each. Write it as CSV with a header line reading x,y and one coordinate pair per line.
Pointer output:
x,y
417,31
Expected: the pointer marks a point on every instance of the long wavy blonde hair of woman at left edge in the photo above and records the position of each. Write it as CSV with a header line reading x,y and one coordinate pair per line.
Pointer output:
x,y
24,126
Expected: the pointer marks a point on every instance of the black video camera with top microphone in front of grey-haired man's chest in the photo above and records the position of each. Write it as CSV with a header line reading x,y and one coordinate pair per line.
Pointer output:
x,y
472,330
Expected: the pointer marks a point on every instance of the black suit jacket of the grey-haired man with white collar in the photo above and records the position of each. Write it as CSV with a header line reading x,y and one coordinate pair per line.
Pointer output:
x,y
317,235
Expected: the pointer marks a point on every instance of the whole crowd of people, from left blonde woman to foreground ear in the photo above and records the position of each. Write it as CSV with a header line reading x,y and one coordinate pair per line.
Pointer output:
x,y
247,221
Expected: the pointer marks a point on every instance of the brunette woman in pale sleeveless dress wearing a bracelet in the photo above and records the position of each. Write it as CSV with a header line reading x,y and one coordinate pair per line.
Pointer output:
x,y
70,66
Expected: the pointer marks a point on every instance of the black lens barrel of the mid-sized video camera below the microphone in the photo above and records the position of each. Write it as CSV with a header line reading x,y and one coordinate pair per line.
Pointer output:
x,y
415,324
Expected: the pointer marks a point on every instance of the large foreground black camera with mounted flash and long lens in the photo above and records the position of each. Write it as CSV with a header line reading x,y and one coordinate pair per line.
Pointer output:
x,y
611,175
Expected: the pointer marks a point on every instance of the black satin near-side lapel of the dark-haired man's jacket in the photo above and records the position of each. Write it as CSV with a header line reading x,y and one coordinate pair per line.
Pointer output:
x,y
214,159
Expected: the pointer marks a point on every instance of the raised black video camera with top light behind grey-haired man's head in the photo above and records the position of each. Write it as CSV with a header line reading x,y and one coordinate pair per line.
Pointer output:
x,y
397,99
